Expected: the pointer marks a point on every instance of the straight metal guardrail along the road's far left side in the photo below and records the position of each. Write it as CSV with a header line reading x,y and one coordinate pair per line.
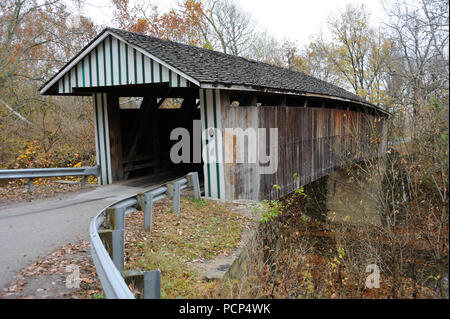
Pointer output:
x,y
32,173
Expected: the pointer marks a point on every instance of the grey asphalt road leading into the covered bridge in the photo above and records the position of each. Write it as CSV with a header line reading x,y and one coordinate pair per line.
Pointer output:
x,y
30,230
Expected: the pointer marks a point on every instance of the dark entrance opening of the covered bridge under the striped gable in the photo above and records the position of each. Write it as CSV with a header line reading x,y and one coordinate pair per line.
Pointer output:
x,y
139,122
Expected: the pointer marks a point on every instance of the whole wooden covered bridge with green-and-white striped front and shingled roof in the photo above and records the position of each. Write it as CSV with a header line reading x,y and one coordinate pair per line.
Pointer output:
x,y
144,87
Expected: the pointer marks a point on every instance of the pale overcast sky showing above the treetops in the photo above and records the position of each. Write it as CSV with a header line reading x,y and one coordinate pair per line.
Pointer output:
x,y
295,20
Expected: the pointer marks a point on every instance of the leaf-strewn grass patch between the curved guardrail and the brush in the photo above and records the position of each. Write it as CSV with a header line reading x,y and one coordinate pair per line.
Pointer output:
x,y
202,230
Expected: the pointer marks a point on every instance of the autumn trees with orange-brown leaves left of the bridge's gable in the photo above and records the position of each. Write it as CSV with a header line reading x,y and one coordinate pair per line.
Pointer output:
x,y
36,40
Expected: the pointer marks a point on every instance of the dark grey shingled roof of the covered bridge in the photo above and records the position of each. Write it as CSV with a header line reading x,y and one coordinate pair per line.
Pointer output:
x,y
213,68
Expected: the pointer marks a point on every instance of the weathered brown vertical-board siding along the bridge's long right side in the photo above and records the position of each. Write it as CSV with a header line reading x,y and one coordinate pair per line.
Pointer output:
x,y
312,142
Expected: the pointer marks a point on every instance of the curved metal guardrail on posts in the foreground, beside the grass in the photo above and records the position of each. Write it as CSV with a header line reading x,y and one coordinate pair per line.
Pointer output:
x,y
107,233
